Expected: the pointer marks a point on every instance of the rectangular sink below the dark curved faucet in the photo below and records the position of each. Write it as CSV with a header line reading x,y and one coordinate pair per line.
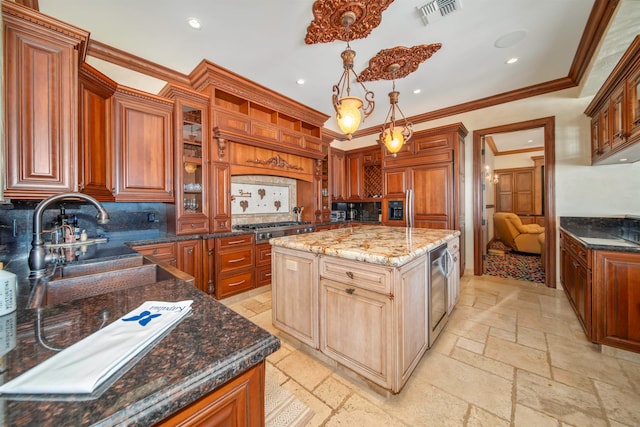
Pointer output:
x,y
77,281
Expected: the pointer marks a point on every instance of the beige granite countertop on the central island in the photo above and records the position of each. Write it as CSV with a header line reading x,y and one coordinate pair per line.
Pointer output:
x,y
391,246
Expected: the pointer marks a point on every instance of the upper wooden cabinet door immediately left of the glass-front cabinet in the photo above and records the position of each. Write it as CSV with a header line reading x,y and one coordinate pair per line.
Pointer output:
x,y
143,141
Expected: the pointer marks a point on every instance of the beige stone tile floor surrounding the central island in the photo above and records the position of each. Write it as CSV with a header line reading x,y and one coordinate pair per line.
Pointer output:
x,y
512,354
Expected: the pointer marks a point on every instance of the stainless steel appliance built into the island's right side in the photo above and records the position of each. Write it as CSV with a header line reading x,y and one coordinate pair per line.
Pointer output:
x,y
441,265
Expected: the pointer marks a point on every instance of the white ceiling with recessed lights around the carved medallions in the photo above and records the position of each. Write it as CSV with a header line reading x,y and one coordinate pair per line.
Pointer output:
x,y
264,42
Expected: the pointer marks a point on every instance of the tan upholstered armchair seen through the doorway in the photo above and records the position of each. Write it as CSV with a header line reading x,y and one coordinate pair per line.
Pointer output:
x,y
516,235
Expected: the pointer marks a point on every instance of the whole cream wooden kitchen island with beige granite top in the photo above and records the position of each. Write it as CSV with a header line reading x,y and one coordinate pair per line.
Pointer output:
x,y
361,296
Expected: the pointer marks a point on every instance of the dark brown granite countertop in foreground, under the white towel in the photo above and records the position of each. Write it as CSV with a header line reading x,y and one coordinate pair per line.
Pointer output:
x,y
206,349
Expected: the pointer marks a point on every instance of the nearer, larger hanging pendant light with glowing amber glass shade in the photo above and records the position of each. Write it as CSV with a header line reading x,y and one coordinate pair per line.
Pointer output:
x,y
350,110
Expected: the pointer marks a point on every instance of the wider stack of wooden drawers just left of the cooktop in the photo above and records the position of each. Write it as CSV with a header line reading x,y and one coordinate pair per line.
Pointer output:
x,y
234,265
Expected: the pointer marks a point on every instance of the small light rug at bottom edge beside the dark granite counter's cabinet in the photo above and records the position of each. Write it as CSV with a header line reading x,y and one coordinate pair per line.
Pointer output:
x,y
281,408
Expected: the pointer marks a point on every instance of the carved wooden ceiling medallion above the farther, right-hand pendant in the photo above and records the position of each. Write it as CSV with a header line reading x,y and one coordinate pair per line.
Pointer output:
x,y
382,66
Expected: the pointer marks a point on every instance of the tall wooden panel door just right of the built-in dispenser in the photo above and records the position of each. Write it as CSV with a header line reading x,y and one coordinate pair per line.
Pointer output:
x,y
433,196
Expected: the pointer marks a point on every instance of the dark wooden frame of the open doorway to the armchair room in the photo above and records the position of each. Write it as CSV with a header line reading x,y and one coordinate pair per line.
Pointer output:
x,y
480,219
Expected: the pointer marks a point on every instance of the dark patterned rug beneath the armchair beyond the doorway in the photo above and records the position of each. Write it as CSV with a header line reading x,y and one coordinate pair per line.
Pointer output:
x,y
513,265
